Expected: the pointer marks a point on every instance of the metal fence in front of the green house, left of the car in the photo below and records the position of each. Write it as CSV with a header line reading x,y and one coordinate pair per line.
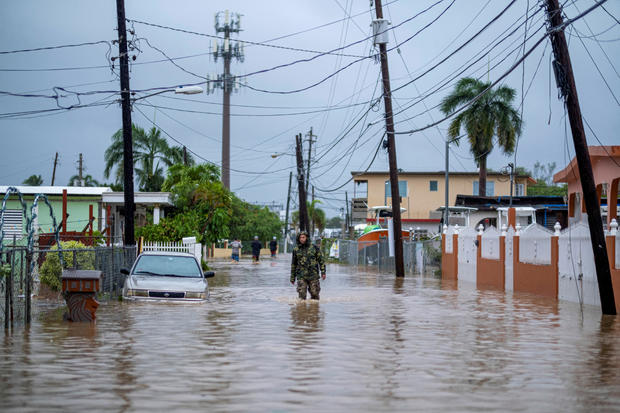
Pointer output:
x,y
18,285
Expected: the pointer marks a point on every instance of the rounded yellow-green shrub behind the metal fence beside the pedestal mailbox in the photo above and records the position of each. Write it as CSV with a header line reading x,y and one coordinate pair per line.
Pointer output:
x,y
51,270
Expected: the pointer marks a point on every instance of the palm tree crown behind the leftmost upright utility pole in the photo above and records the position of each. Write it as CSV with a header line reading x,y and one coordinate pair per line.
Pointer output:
x,y
150,151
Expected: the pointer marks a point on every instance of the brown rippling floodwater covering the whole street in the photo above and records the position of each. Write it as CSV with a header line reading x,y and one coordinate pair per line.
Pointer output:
x,y
370,344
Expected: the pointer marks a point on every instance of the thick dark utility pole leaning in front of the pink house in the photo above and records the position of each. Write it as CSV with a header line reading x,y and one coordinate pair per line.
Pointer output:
x,y
566,84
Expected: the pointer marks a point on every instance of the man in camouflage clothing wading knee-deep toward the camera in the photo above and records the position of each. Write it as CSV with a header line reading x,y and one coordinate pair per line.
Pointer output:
x,y
307,259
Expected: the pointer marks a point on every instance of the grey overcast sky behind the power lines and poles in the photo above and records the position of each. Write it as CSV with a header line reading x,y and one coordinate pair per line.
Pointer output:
x,y
29,142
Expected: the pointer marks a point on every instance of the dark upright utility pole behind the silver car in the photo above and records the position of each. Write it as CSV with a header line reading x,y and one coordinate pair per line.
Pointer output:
x,y
127,139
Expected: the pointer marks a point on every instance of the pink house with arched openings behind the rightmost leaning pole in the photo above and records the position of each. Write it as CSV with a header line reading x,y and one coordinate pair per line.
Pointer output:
x,y
606,168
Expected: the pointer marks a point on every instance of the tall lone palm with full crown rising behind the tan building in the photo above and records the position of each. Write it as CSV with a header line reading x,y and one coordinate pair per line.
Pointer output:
x,y
491,115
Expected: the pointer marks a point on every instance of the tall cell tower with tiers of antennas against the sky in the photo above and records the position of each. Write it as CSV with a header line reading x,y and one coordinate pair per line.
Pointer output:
x,y
227,23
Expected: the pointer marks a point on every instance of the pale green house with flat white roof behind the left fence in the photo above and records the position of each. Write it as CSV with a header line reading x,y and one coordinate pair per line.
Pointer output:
x,y
86,208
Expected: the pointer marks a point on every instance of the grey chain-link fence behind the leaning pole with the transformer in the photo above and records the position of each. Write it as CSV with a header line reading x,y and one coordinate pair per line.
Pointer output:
x,y
420,257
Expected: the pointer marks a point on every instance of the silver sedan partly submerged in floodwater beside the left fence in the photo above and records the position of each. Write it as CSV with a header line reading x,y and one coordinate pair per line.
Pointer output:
x,y
166,276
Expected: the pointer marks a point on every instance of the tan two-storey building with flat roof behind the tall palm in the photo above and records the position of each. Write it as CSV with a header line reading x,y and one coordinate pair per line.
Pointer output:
x,y
422,193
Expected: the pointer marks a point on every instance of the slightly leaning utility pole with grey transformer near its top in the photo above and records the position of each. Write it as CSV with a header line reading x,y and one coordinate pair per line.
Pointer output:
x,y
381,38
